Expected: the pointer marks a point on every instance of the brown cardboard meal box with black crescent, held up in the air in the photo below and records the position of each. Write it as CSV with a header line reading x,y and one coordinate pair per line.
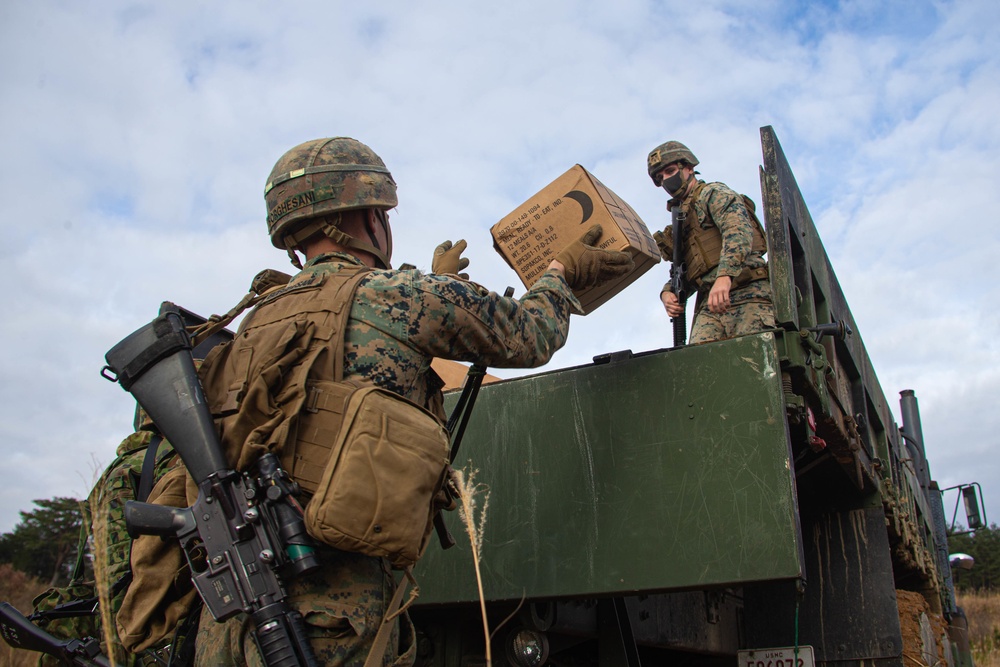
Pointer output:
x,y
534,233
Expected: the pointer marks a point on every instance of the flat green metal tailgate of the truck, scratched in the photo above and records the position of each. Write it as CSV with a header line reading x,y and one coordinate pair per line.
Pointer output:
x,y
664,471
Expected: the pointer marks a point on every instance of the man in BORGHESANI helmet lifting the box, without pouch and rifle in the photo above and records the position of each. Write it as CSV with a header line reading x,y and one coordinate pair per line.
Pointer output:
x,y
328,199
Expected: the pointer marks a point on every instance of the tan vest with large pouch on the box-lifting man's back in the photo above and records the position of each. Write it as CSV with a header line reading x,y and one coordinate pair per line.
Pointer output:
x,y
372,462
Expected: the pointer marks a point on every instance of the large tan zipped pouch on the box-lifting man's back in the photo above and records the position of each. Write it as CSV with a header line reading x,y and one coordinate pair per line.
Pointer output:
x,y
376,494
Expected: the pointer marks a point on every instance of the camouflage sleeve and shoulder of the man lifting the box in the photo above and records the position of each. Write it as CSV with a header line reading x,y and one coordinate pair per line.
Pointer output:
x,y
402,319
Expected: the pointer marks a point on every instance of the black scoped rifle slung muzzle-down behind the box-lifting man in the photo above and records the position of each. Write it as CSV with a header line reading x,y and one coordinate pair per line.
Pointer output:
x,y
244,535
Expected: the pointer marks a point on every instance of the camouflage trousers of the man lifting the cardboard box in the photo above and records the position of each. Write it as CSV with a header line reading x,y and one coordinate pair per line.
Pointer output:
x,y
342,604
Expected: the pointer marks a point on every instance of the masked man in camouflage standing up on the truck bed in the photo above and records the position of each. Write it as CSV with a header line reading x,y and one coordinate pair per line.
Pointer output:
x,y
723,246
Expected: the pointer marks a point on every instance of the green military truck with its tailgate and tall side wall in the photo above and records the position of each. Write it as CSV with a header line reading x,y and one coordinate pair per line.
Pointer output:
x,y
748,502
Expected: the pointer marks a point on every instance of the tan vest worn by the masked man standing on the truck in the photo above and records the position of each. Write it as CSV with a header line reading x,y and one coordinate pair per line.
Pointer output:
x,y
703,243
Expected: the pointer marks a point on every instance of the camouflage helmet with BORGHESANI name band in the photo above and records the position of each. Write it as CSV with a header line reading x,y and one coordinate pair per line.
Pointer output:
x,y
324,176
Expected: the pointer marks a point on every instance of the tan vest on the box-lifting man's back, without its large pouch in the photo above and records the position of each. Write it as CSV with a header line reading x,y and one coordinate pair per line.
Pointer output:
x,y
259,385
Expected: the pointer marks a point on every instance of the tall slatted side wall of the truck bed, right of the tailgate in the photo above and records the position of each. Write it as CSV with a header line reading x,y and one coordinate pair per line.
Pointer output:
x,y
843,391
